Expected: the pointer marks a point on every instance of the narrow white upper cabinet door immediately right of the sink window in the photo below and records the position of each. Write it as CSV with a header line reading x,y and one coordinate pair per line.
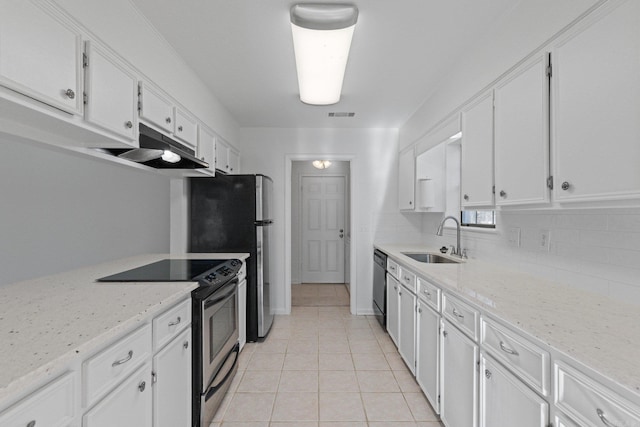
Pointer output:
x,y
477,153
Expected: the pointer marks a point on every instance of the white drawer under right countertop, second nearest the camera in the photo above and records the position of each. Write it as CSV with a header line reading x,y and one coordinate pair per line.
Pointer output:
x,y
525,359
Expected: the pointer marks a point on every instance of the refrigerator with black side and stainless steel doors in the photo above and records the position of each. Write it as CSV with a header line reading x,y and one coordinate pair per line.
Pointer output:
x,y
232,213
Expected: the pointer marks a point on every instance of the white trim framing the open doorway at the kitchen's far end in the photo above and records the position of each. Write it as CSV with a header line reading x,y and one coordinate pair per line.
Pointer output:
x,y
353,221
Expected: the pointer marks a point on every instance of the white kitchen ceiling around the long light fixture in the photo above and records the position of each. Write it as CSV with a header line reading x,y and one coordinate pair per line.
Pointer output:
x,y
401,49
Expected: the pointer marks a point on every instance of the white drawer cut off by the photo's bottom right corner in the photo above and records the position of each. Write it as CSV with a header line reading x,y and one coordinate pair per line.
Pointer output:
x,y
590,403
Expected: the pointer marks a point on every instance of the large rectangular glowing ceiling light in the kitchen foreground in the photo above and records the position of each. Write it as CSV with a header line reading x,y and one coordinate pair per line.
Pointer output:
x,y
321,40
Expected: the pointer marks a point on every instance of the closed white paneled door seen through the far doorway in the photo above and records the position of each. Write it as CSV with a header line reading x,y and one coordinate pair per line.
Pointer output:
x,y
323,200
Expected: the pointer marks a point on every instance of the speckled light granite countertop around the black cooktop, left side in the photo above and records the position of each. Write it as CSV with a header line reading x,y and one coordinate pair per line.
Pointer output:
x,y
51,322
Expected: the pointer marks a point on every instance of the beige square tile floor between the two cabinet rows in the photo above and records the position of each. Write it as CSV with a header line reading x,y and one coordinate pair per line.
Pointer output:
x,y
322,367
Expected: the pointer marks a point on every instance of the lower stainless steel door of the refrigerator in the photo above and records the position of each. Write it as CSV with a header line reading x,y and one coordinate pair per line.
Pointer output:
x,y
265,313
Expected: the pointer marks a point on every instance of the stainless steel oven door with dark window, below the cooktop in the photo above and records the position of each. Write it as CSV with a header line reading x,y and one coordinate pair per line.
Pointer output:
x,y
219,330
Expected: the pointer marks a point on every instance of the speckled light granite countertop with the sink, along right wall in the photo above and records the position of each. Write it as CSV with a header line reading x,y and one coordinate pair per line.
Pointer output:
x,y
602,333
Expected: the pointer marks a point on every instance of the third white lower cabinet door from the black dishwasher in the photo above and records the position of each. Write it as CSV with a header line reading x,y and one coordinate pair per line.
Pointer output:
x,y
428,353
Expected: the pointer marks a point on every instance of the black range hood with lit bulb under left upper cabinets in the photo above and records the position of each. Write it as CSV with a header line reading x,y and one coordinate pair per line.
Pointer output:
x,y
160,152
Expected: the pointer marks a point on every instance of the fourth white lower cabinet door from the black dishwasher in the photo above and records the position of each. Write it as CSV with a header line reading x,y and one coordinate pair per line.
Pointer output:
x,y
458,407
